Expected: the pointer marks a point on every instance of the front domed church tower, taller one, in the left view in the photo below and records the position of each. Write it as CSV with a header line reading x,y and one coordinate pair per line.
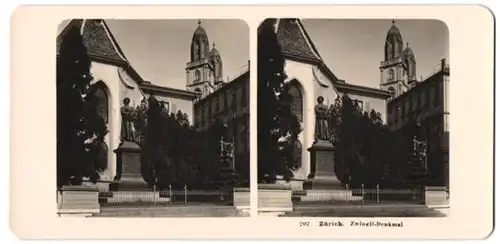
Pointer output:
x,y
199,71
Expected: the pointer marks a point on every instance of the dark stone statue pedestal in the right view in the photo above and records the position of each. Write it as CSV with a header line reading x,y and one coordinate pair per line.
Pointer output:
x,y
322,174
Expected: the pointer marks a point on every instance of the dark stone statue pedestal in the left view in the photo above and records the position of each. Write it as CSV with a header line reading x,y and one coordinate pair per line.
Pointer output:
x,y
128,175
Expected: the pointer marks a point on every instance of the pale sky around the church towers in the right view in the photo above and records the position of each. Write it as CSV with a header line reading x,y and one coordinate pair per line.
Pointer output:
x,y
353,49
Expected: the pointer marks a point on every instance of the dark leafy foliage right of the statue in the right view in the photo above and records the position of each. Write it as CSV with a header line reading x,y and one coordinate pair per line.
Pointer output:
x,y
368,153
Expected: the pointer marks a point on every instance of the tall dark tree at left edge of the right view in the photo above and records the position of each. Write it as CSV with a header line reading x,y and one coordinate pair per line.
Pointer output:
x,y
277,126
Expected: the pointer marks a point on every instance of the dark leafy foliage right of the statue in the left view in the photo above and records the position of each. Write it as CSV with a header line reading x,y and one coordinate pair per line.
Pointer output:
x,y
168,143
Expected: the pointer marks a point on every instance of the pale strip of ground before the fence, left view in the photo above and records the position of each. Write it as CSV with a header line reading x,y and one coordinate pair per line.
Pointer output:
x,y
181,211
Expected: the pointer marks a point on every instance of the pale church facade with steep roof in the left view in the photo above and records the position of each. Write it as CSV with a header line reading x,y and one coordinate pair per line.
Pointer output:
x,y
117,80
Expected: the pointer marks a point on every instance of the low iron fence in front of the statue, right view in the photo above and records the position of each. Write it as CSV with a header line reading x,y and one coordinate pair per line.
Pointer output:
x,y
357,196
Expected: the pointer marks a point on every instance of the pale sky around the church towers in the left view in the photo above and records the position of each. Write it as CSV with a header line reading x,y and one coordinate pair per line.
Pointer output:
x,y
159,49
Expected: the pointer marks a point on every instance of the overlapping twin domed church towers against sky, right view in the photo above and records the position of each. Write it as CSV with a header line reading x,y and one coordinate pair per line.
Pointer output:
x,y
394,70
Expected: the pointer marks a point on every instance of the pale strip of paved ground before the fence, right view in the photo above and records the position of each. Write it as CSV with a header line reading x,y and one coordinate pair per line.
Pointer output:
x,y
397,210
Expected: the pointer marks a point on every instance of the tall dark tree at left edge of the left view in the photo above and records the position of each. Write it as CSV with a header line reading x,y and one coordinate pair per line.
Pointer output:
x,y
80,129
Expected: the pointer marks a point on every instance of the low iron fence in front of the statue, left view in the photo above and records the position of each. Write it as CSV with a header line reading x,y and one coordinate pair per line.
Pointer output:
x,y
149,197
